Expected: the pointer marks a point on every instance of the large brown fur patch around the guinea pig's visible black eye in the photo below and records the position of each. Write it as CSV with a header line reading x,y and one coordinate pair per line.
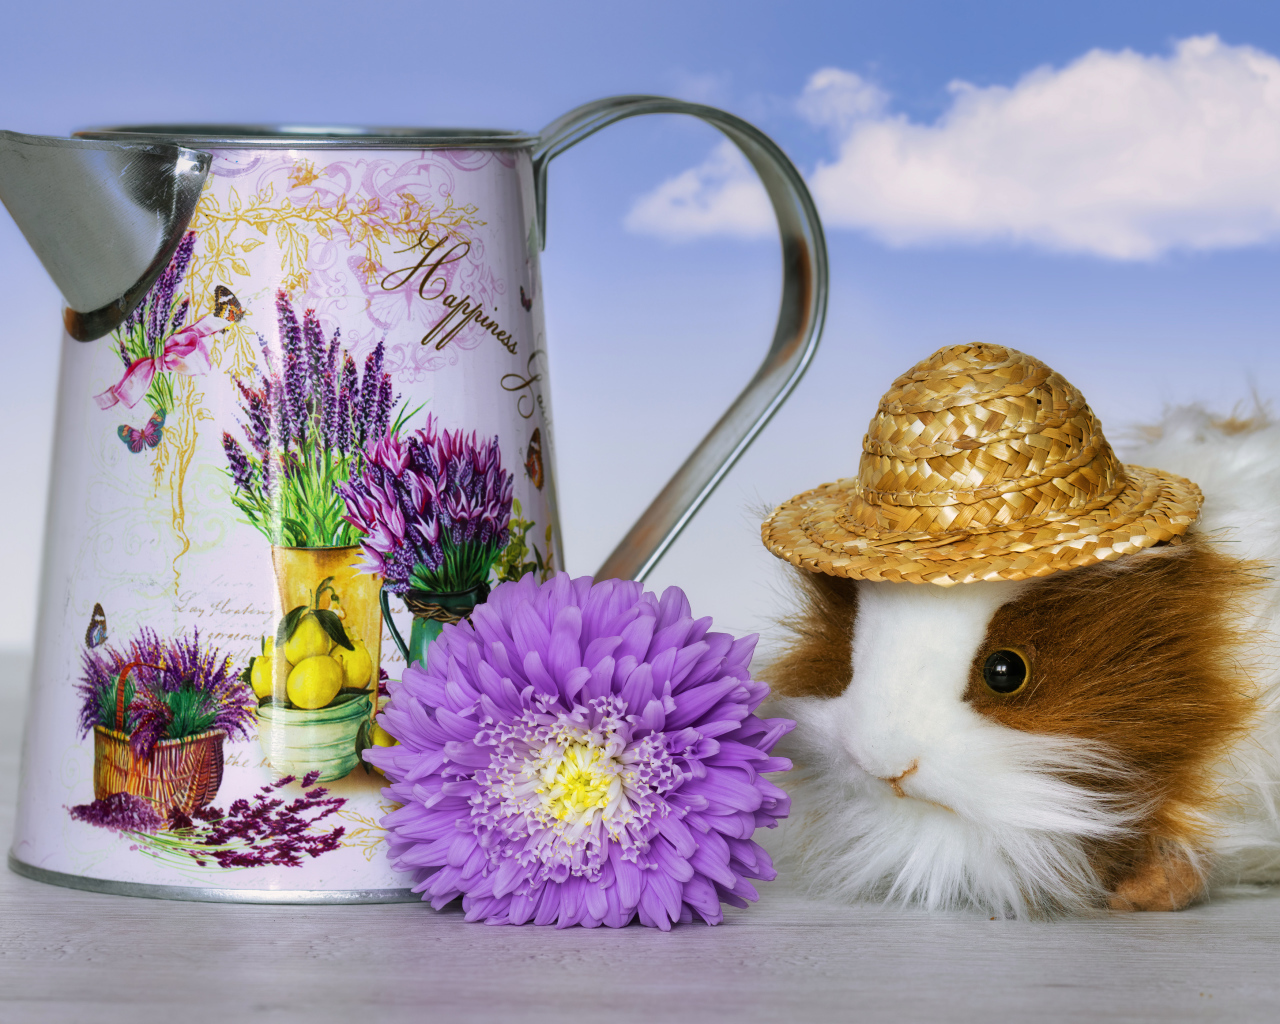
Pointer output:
x,y
1141,655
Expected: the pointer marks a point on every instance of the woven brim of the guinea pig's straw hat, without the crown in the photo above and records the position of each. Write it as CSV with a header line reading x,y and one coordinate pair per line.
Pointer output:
x,y
813,532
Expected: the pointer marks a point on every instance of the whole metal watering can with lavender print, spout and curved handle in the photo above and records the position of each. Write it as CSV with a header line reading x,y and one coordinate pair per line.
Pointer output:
x,y
304,385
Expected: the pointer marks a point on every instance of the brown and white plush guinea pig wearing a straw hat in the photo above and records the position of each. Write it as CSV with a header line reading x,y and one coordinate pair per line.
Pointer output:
x,y
1028,678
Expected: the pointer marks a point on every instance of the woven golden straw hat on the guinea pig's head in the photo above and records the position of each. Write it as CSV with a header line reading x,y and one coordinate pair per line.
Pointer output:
x,y
981,464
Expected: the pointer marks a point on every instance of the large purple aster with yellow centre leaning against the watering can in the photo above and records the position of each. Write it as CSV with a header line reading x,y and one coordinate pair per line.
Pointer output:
x,y
583,753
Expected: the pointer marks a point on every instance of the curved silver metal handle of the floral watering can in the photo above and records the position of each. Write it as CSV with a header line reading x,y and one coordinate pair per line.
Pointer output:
x,y
801,318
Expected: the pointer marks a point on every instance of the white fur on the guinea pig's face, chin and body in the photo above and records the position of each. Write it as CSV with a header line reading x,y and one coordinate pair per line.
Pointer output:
x,y
986,817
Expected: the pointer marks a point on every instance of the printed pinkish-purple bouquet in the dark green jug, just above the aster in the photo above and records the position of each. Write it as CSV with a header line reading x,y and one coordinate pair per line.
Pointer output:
x,y
435,510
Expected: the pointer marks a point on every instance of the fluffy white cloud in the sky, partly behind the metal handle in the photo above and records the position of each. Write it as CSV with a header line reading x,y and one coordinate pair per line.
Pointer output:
x,y
1118,154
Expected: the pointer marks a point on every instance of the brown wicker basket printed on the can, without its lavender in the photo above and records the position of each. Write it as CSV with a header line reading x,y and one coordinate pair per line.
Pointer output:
x,y
181,775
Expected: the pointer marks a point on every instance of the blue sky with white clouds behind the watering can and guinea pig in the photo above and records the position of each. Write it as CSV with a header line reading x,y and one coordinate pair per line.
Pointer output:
x,y
1156,290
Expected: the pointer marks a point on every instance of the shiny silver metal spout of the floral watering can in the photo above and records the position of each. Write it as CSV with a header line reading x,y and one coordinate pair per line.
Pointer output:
x,y
104,218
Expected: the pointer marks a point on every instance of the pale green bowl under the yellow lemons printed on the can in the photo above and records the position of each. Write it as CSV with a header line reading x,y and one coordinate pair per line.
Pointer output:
x,y
299,742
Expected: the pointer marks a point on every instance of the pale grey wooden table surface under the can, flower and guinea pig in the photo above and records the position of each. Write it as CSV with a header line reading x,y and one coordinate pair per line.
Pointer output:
x,y
81,957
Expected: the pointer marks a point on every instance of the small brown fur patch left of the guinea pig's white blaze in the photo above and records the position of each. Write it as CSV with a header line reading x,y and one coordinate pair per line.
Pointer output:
x,y
819,659
